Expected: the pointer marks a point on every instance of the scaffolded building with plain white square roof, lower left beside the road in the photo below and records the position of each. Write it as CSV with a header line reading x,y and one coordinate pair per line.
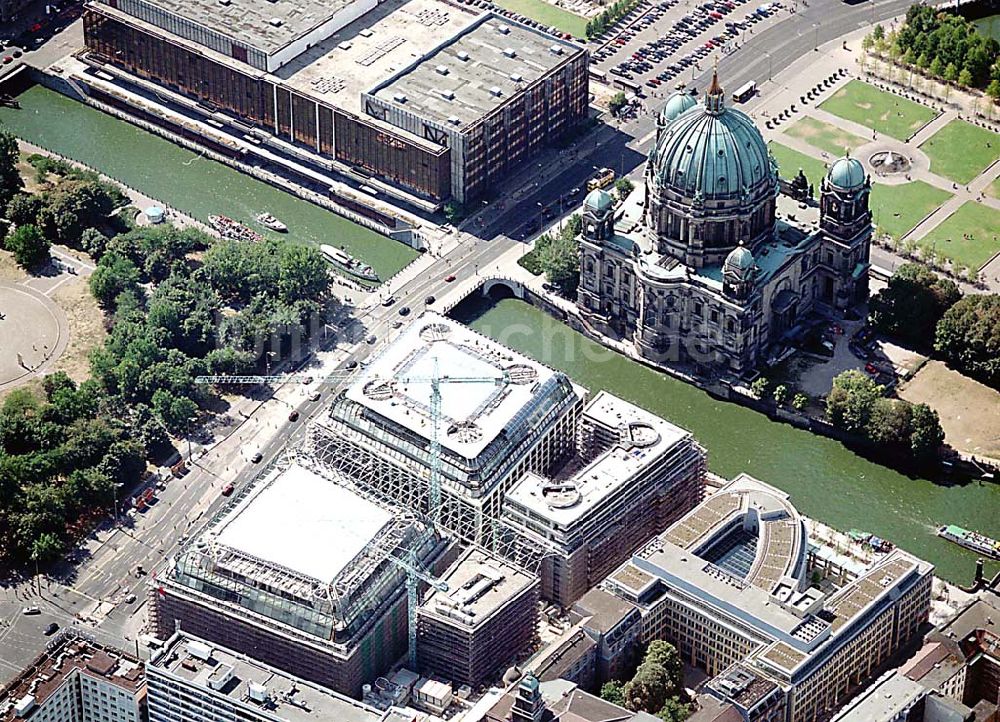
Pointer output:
x,y
299,572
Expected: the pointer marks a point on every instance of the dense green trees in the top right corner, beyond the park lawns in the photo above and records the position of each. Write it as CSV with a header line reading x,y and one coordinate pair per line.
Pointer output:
x,y
943,45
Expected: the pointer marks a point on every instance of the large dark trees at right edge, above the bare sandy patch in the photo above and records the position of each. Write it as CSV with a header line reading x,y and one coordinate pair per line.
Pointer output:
x,y
928,312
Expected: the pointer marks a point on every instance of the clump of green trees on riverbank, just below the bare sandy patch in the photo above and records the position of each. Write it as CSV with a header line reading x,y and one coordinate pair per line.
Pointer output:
x,y
858,404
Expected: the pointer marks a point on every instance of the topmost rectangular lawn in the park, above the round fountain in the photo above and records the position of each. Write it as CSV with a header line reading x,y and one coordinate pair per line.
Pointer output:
x,y
885,112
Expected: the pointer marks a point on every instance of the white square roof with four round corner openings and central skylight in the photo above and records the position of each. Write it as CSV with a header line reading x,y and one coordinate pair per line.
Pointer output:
x,y
490,384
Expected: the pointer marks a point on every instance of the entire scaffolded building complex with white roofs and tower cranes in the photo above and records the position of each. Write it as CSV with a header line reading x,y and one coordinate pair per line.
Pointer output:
x,y
381,547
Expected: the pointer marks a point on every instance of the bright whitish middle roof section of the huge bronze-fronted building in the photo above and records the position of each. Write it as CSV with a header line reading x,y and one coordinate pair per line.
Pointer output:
x,y
372,49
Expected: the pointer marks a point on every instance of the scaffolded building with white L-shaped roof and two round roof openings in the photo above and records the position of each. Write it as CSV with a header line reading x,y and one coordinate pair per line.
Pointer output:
x,y
633,475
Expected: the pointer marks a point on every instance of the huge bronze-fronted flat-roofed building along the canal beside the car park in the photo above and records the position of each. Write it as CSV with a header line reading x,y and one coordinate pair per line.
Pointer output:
x,y
423,96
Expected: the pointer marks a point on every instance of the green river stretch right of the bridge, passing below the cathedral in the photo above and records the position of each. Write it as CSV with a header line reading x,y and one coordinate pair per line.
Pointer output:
x,y
825,480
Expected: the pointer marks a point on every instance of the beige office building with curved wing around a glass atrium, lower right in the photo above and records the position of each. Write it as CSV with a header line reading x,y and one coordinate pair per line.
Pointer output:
x,y
730,585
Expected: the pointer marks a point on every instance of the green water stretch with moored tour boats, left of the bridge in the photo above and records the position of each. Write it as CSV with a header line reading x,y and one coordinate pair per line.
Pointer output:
x,y
183,179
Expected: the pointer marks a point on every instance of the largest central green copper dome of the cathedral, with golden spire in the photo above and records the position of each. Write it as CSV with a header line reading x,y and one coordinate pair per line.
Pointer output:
x,y
713,152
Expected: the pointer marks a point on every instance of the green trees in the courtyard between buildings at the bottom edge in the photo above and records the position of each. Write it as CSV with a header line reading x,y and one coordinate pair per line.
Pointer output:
x,y
657,686
